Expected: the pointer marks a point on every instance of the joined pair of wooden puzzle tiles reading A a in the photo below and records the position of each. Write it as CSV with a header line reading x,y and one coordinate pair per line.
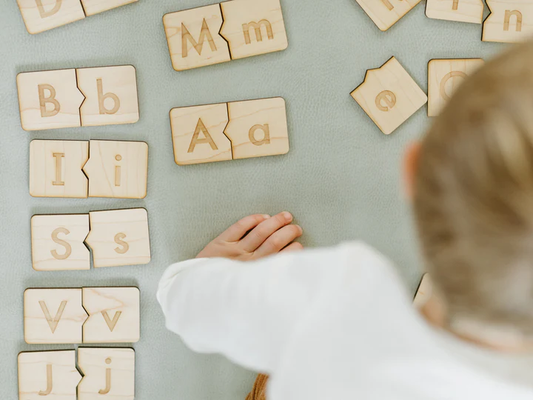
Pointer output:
x,y
235,130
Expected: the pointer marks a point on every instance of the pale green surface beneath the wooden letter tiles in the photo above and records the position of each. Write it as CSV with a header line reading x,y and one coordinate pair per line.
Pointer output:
x,y
340,179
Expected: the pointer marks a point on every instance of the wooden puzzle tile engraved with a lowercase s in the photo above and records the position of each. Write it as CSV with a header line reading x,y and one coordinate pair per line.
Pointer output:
x,y
119,237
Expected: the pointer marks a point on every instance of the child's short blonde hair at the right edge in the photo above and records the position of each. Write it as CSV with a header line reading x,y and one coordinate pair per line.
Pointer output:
x,y
473,197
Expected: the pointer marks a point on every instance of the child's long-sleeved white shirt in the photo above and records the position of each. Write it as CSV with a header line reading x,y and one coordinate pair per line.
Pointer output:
x,y
325,324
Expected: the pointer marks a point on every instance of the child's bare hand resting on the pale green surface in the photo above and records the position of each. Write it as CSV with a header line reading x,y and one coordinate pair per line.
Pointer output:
x,y
254,237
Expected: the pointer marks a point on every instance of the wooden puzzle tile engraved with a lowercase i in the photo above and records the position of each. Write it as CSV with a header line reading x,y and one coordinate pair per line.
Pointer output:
x,y
117,169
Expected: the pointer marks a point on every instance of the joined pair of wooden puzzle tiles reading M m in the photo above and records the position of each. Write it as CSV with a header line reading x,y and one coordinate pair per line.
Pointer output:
x,y
222,32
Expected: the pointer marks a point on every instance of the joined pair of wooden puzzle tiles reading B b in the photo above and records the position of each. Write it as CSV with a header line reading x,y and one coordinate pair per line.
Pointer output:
x,y
78,97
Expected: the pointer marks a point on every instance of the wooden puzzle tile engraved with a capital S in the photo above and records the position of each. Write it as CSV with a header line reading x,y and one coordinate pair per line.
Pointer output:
x,y
57,242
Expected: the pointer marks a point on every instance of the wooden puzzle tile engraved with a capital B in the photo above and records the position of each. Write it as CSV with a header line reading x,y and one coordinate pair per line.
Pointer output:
x,y
49,99
